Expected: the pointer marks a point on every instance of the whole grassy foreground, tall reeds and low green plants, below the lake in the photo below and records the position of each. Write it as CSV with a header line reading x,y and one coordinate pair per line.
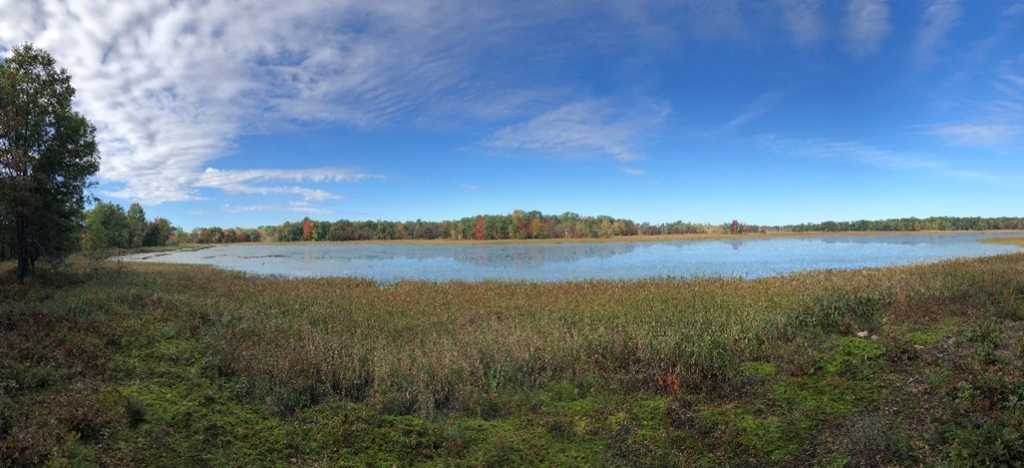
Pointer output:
x,y
185,366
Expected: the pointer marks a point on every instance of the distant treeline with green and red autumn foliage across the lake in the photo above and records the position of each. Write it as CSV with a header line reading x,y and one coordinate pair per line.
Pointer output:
x,y
534,225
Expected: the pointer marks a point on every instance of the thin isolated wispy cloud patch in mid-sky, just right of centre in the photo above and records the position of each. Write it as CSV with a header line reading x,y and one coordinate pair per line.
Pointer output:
x,y
584,130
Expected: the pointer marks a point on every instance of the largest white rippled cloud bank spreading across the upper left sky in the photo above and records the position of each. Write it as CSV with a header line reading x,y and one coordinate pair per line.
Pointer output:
x,y
172,86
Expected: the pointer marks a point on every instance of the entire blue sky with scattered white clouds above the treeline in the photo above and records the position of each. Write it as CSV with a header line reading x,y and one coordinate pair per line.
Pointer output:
x,y
249,113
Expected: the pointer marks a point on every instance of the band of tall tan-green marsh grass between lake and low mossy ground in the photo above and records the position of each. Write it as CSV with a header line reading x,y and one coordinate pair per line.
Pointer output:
x,y
419,348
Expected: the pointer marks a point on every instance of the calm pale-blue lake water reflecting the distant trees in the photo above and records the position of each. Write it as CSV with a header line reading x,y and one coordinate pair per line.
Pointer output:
x,y
545,263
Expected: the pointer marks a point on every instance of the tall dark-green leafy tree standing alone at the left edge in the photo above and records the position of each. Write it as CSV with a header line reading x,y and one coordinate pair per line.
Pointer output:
x,y
48,154
